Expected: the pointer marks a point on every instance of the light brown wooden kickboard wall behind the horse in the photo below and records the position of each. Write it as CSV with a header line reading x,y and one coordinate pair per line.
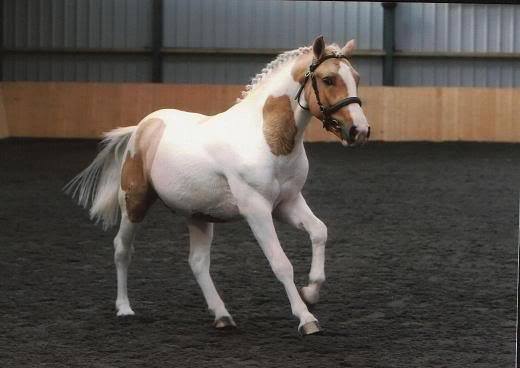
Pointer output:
x,y
85,110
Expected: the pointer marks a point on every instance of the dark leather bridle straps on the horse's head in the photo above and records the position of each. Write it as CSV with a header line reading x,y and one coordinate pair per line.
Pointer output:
x,y
328,121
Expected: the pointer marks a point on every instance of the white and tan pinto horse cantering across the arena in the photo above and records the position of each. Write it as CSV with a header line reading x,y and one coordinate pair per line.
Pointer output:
x,y
246,162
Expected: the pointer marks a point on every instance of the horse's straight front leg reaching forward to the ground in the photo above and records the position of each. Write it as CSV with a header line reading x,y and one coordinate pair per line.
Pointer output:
x,y
257,211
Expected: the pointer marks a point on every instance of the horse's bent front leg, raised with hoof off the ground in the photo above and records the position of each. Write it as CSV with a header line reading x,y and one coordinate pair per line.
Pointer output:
x,y
296,212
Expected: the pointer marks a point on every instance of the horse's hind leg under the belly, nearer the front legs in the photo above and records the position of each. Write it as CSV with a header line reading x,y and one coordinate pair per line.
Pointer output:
x,y
201,235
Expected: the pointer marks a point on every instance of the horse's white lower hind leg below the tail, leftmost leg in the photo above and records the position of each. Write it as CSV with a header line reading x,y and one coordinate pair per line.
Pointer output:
x,y
123,249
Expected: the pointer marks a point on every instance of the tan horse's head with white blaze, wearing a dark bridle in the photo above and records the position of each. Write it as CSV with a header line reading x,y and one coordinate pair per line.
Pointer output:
x,y
329,84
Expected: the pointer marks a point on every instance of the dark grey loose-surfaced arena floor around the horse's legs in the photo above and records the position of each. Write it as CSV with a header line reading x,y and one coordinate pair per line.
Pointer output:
x,y
421,267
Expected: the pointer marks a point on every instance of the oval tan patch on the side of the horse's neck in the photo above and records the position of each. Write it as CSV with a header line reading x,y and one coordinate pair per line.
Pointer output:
x,y
279,126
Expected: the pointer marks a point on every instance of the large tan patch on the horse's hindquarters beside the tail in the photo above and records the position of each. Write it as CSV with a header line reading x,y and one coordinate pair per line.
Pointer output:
x,y
135,174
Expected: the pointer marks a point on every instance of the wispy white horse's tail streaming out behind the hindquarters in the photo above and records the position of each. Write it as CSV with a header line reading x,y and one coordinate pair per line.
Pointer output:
x,y
99,183
